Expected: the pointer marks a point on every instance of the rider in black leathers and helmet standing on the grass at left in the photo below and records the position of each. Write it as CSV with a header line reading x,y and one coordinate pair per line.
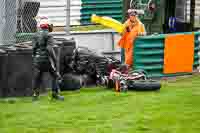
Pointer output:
x,y
44,60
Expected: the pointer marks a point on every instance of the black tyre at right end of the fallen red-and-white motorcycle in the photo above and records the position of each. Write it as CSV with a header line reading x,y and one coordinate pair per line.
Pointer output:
x,y
144,85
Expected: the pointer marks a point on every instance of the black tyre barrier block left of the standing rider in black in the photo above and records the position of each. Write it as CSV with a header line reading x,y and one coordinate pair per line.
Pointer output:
x,y
17,74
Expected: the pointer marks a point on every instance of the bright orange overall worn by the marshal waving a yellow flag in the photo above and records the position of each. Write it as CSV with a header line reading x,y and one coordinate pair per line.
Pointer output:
x,y
127,39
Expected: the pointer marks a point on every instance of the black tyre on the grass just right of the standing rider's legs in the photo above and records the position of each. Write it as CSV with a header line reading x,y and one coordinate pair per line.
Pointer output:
x,y
70,83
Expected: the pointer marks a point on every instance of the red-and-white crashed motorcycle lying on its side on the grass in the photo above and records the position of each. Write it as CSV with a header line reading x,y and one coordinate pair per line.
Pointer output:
x,y
132,80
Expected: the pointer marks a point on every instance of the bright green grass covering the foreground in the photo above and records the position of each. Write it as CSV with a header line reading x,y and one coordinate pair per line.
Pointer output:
x,y
175,109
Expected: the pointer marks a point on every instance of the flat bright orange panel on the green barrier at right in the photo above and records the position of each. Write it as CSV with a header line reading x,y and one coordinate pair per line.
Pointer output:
x,y
178,54
